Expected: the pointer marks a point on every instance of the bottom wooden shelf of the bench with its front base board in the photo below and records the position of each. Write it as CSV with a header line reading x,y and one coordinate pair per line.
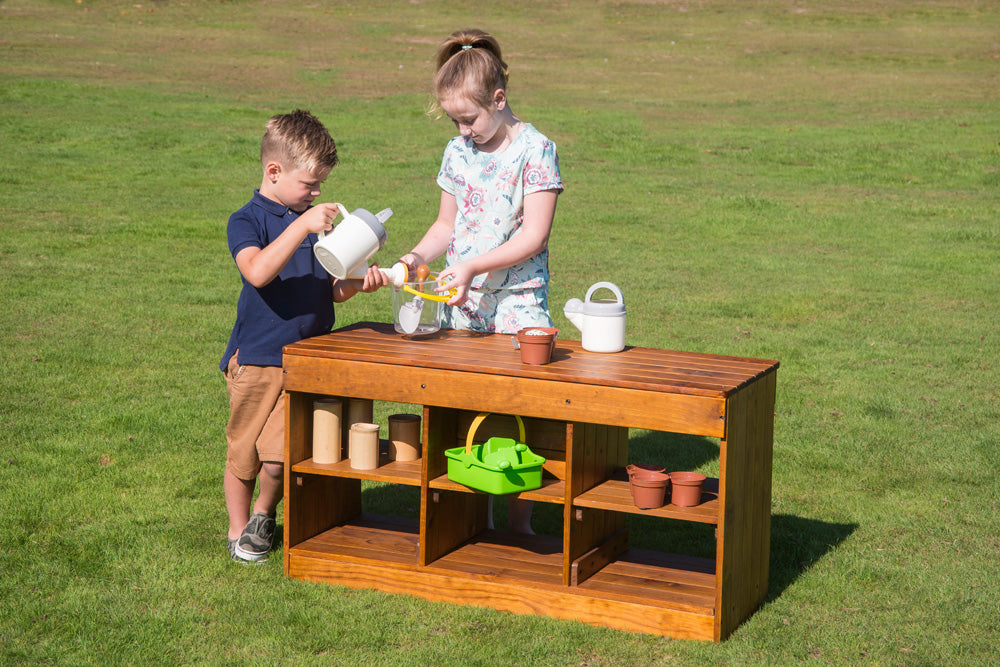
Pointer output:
x,y
639,592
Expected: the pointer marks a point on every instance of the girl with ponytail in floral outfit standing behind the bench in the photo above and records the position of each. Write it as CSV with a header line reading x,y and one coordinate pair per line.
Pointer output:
x,y
499,182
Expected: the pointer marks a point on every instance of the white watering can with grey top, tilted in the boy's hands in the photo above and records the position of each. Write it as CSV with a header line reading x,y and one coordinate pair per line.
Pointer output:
x,y
345,251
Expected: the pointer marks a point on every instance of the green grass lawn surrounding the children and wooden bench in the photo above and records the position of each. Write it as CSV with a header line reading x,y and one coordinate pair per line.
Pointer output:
x,y
815,183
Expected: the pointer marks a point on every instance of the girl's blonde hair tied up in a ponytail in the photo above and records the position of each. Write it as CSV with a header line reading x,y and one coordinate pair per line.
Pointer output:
x,y
469,62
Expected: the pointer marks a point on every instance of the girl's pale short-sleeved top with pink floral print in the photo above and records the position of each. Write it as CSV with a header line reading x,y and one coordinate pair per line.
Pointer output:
x,y
489,189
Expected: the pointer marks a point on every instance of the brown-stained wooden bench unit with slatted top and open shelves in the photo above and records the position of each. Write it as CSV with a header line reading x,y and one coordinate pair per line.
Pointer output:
x,y
577,411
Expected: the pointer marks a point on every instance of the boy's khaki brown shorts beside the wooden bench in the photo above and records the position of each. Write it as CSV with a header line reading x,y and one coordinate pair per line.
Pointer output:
x,y
256,430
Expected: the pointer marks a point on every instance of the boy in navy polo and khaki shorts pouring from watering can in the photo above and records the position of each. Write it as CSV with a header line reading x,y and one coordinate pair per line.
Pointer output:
x,y
286,296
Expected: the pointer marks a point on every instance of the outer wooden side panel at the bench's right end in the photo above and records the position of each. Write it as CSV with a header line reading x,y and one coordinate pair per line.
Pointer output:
x,y
743,550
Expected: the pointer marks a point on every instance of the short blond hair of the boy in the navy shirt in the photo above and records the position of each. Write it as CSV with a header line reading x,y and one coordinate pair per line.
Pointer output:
x,y
298,140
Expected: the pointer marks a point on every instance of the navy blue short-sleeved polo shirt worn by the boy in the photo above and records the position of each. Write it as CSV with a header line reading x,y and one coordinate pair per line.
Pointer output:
x,y
297,304
